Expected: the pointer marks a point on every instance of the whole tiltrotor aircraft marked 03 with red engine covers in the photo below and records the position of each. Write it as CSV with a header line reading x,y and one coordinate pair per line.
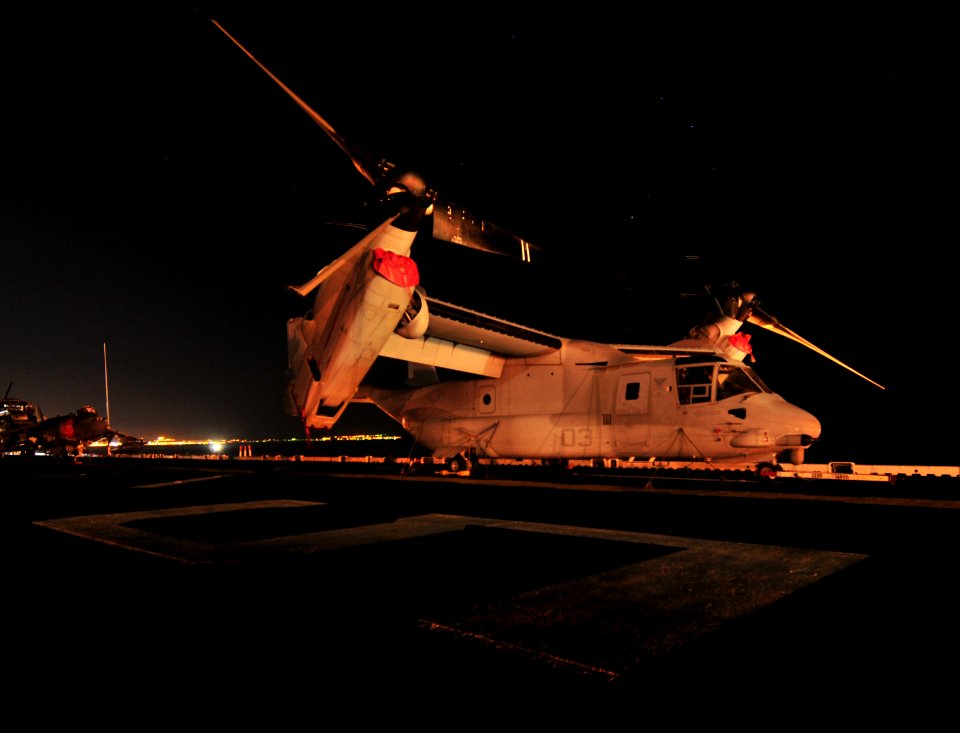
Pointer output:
x,y
524,394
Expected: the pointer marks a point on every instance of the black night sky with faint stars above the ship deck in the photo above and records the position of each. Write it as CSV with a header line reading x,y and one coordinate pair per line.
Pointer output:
x,y
158,193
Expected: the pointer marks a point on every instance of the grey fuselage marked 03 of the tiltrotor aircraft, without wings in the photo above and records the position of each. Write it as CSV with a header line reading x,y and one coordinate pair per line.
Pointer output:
x,y
591,400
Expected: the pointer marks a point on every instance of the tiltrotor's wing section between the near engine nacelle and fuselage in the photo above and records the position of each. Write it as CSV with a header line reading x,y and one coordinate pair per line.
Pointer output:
x,y
469,341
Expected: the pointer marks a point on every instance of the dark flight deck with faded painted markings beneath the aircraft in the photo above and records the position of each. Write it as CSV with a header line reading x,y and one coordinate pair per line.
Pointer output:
x,y
290,578
